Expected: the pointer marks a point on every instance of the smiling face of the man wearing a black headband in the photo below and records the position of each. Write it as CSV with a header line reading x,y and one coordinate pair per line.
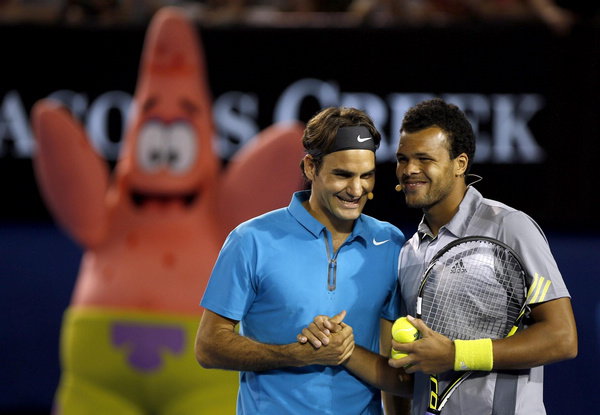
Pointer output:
x,y
340,187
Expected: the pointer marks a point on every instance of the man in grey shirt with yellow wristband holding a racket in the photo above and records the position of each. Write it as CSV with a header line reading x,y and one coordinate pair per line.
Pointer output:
x,y
435,152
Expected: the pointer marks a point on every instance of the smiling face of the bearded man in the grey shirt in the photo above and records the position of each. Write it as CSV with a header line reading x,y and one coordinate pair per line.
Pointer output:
x,y
426,172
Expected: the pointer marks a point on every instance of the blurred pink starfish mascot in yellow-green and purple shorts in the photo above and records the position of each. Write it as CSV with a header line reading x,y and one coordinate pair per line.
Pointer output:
x,y
151,231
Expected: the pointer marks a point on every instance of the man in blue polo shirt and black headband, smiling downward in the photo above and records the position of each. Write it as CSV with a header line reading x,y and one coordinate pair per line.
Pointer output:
x,y
318,256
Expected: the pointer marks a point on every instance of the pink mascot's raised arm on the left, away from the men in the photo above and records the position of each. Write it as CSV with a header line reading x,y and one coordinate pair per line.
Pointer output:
x,y
71,176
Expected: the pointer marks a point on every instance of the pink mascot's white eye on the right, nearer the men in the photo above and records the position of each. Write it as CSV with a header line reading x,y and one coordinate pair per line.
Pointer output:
x,y
182,148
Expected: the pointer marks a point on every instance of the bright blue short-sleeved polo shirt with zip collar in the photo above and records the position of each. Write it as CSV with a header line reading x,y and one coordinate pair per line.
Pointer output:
x,y
273,275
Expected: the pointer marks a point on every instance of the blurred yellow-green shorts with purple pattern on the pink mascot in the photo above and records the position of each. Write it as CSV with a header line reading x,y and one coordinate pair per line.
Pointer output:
x,y
136,363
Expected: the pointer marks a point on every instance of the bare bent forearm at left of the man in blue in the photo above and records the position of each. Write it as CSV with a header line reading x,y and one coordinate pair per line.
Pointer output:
x,y
218,346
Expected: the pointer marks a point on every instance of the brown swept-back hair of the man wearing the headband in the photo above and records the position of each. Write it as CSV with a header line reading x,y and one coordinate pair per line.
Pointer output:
x,y
321,131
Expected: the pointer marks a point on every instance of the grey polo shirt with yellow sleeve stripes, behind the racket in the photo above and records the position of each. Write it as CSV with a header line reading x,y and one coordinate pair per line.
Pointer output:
x,y
496,392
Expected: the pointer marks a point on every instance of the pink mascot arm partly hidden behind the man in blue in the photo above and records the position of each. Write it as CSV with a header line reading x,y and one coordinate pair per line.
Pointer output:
x,y
262,175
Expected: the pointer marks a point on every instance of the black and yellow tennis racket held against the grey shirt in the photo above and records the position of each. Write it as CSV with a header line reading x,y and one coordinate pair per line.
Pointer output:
x,y
474,288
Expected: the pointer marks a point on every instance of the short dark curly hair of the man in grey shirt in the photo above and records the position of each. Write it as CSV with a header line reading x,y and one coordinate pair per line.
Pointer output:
x,y
447,117
